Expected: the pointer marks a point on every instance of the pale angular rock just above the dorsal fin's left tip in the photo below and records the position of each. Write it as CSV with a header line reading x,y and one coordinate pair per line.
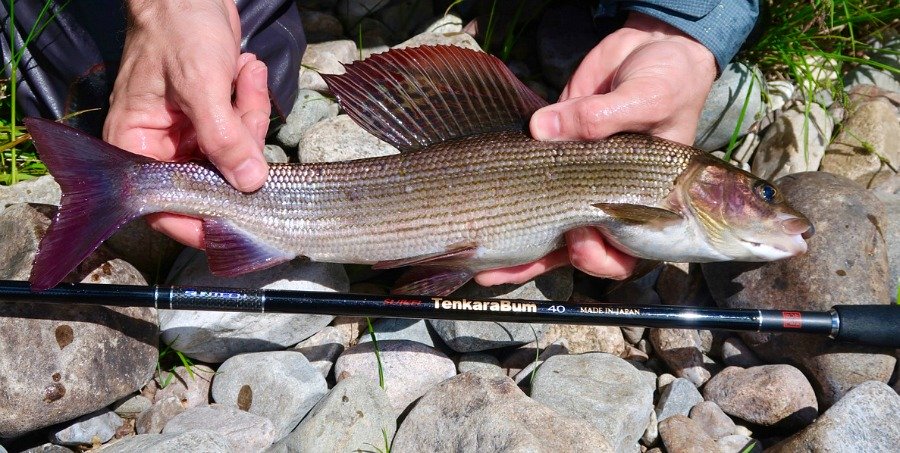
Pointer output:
x,y
324,58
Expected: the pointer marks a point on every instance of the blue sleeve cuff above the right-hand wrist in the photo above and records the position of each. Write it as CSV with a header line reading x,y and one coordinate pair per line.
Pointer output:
x,y
720,25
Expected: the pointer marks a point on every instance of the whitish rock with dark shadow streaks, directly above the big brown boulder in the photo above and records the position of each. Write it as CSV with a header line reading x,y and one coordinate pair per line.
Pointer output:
x,y
794,143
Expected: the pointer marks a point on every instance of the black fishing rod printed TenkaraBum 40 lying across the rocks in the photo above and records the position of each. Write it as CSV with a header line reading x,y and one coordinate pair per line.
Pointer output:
x,y
876,325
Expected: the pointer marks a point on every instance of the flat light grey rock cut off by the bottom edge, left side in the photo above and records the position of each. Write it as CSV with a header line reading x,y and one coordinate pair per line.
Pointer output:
x,y
196,441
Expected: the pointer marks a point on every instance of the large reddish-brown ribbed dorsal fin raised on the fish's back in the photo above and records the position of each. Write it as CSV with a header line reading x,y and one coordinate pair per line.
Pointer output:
x,y
414,97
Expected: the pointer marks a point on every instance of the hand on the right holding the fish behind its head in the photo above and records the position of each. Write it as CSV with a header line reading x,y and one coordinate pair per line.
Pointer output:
x,y
647,77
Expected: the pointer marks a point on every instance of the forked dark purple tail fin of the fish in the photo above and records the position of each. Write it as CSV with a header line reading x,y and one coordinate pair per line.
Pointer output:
x,y
93,176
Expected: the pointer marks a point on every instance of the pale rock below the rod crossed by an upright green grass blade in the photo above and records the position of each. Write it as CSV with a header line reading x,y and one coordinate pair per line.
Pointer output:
x,y
410,368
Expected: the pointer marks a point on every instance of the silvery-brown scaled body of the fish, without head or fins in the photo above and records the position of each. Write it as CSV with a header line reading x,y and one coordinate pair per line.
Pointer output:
x,y
498,190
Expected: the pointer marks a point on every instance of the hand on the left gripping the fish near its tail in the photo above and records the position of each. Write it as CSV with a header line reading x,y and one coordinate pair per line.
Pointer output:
x,y
172,98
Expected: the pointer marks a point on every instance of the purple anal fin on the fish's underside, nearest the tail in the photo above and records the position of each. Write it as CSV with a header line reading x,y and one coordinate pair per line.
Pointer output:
x,y
232,251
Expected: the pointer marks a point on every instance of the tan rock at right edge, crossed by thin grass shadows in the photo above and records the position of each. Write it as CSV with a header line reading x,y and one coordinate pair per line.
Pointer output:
x,y
866,147
